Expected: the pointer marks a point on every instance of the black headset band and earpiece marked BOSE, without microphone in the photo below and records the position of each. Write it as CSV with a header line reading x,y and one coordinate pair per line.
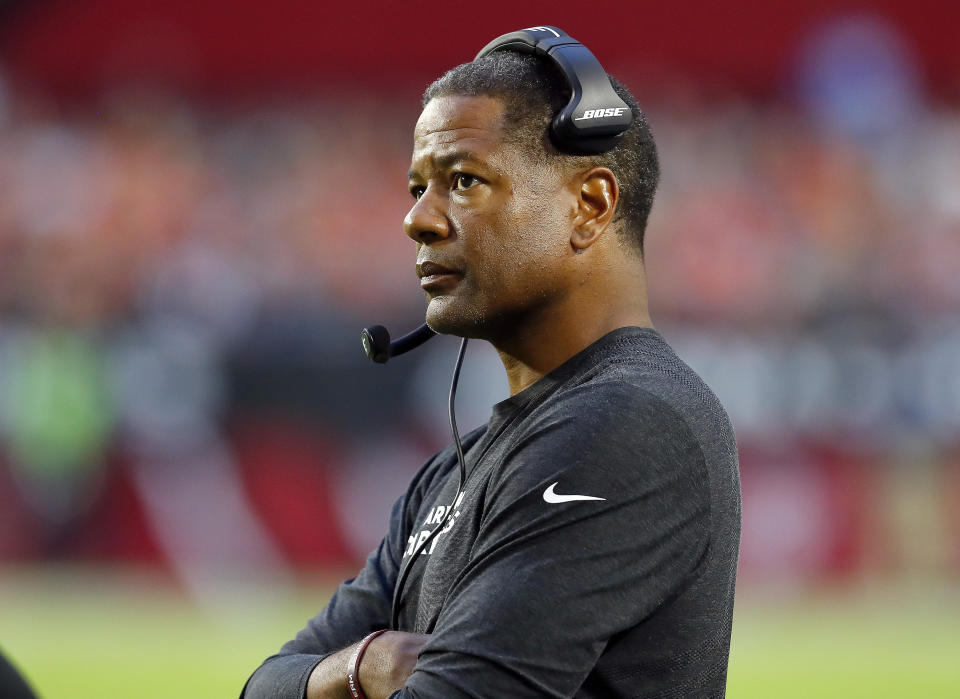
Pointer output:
x,y
595,117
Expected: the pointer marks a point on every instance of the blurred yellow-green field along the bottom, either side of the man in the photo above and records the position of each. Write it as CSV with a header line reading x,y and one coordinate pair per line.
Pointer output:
x,y
80,634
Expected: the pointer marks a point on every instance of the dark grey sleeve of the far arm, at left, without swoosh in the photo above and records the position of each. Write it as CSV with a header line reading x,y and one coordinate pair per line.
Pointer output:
x,y
358,607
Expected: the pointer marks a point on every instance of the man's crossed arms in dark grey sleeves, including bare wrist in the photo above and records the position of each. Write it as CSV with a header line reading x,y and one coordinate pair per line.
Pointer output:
x,y
546,585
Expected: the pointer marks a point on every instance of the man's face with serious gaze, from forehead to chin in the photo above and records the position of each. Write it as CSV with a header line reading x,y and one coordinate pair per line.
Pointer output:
x,y
491,225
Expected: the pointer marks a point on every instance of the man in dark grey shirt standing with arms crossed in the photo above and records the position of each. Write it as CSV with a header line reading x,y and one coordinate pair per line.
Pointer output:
x,y
593,551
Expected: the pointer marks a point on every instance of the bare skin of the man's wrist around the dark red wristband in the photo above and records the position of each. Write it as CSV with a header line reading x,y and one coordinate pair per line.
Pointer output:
x,y
385,667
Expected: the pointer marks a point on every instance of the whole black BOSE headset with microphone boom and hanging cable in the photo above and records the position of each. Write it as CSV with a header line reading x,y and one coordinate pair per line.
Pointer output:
x,y
593,121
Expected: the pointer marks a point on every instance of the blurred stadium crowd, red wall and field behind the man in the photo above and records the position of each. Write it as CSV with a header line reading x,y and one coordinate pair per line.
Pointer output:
x,y
200,206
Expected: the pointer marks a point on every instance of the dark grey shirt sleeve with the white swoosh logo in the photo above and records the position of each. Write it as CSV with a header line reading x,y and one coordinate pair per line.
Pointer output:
x,y
552,578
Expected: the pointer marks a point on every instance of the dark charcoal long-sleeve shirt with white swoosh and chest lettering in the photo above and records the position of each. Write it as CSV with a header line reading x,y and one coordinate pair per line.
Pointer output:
x,y
626,591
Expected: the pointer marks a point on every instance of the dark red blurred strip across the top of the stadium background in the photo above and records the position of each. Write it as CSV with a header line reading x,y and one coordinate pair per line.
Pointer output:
x,y
213,48
